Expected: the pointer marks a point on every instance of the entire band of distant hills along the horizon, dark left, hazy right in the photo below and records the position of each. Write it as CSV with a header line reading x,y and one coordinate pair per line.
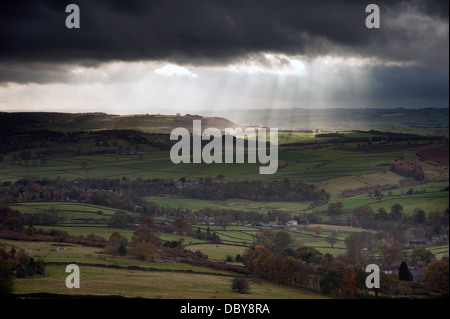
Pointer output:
x,y
427,121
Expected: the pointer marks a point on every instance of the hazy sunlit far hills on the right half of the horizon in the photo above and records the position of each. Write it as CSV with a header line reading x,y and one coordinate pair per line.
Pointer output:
x,y
343,119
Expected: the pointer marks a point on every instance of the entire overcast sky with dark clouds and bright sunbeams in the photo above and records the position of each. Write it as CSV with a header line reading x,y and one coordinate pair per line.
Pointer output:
x,y
172,56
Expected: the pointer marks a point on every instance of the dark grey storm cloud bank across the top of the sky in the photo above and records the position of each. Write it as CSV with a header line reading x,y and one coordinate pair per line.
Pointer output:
x,y
216,32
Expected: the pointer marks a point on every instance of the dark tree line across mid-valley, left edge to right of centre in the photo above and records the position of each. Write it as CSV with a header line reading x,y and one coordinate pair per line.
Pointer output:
x,y
129,194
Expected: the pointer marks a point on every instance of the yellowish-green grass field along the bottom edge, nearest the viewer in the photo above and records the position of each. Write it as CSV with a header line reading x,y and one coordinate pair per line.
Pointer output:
x,y
155,284
